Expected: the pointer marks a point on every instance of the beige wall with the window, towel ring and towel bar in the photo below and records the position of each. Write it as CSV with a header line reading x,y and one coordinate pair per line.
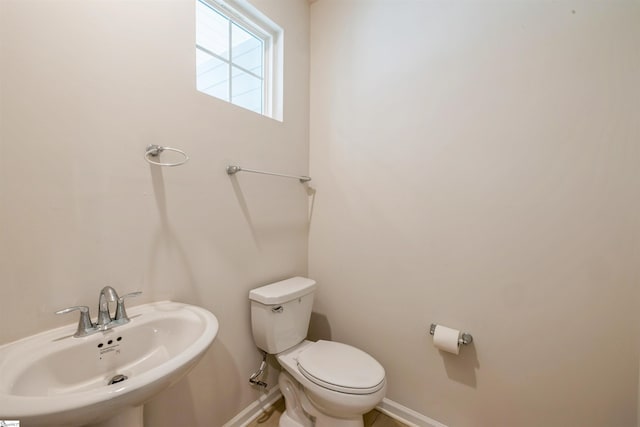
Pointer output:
x,y
86,86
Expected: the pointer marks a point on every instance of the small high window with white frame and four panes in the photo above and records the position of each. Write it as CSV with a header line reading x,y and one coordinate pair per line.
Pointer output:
x,y
237,56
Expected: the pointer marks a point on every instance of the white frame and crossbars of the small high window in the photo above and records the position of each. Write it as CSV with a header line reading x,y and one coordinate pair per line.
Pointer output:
x,y
250,19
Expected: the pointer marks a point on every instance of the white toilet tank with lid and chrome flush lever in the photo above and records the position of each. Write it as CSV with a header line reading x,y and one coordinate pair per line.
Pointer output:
x,y
280,313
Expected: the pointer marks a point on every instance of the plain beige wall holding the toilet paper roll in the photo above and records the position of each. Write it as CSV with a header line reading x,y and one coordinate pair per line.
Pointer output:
x,y
476,165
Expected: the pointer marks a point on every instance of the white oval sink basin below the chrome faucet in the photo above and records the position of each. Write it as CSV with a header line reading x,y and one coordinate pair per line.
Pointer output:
x,y
53,379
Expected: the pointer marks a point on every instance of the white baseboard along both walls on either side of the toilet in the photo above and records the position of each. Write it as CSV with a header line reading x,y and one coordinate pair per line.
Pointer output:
x,y
388,407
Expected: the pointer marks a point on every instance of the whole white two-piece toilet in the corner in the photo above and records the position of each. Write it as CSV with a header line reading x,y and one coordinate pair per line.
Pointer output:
x,y
324,383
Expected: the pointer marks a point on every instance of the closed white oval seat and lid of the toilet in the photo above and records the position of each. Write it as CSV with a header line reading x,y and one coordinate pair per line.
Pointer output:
x,y
341,367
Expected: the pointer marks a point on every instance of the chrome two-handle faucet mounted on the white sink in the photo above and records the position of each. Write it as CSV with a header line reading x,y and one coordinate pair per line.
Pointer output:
x,y
104,320
